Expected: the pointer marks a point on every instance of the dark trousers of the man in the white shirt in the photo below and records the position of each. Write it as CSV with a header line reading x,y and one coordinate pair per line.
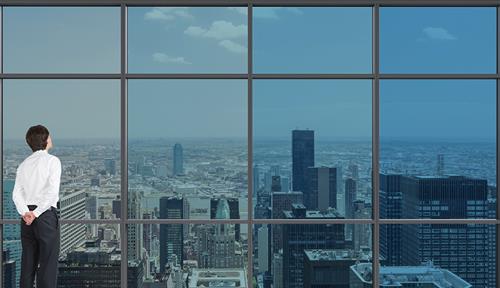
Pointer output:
x,y
41,244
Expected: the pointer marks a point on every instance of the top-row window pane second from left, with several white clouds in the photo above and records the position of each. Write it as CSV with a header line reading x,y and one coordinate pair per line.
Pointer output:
x,y
187,39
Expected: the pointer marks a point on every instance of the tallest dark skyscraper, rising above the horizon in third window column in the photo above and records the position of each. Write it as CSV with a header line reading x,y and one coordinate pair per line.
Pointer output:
x,y
302,157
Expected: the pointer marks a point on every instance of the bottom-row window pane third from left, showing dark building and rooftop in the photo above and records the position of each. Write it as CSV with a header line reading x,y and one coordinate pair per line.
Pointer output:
x,y
308,255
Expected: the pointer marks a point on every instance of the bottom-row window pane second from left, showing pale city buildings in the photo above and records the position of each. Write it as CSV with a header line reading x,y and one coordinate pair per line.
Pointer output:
x,y
203,255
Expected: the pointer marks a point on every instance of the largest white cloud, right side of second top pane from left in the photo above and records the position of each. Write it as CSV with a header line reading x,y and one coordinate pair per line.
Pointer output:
x,y
219,30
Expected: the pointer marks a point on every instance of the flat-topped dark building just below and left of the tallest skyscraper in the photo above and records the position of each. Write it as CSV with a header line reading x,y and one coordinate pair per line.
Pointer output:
x,y
280,202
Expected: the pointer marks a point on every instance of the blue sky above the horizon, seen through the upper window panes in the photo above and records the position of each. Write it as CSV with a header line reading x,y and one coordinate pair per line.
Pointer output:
x,y
286,40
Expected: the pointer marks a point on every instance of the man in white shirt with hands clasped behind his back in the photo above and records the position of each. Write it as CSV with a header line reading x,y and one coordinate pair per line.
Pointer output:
x,y
35,194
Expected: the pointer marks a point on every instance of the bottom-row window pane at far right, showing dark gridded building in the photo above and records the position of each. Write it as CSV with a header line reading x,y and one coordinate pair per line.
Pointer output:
x,y
448,255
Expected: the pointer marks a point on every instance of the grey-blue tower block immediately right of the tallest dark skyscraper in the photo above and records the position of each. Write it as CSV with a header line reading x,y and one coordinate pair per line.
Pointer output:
x,y
320,192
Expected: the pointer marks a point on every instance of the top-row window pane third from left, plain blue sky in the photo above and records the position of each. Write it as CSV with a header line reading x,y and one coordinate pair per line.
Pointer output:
x,y
312,39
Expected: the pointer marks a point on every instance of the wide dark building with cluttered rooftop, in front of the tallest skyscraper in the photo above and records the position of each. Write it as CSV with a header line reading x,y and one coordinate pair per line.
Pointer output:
x,y
299,237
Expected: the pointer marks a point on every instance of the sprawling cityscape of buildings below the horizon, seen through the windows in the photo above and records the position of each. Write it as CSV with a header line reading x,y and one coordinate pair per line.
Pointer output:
x,y
298,179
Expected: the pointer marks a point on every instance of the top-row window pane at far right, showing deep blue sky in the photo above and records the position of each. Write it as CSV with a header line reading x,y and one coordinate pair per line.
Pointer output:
x,y
438,40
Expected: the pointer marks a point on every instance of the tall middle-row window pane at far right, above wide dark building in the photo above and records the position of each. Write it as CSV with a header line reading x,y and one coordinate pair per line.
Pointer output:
x,y
438,149
